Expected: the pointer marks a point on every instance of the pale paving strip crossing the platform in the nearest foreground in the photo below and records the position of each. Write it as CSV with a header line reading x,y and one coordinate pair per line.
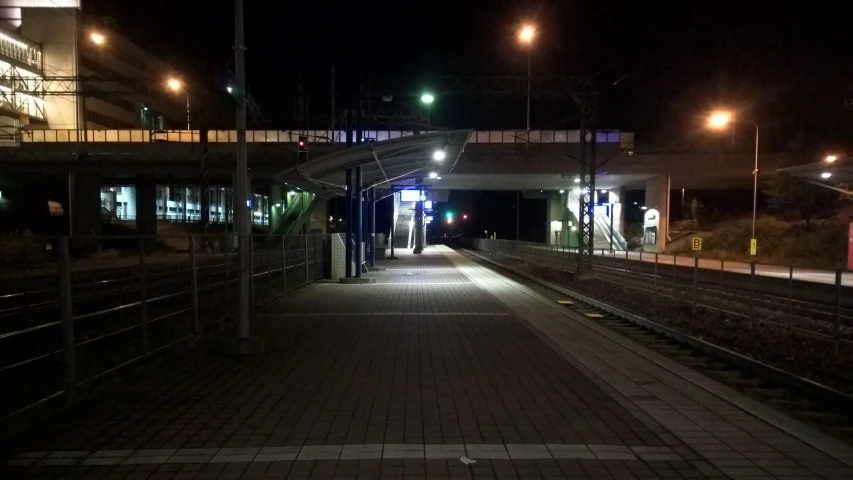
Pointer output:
x,y
346,452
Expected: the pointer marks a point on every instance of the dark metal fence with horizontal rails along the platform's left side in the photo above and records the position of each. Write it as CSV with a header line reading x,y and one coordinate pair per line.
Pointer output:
x,y
74,310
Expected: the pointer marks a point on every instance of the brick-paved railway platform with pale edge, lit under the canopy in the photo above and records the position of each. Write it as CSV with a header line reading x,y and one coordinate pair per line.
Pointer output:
x,y
443,368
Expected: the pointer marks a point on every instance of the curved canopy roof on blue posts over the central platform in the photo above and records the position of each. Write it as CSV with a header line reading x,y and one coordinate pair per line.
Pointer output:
x,y
399,161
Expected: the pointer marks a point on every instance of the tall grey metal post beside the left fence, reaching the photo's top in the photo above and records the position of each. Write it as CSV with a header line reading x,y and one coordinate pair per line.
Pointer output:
x,y
242,183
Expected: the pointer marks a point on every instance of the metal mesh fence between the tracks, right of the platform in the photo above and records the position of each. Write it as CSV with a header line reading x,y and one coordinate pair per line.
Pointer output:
x,y
816,303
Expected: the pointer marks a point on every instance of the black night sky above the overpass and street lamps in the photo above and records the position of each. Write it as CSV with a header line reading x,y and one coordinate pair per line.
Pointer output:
x,y
787,64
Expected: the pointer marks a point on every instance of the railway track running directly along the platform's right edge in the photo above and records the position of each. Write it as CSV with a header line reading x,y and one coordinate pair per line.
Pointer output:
x,y
825,408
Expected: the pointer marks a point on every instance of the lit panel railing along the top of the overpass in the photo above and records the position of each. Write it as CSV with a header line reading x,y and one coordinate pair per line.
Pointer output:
x,y
625,139
